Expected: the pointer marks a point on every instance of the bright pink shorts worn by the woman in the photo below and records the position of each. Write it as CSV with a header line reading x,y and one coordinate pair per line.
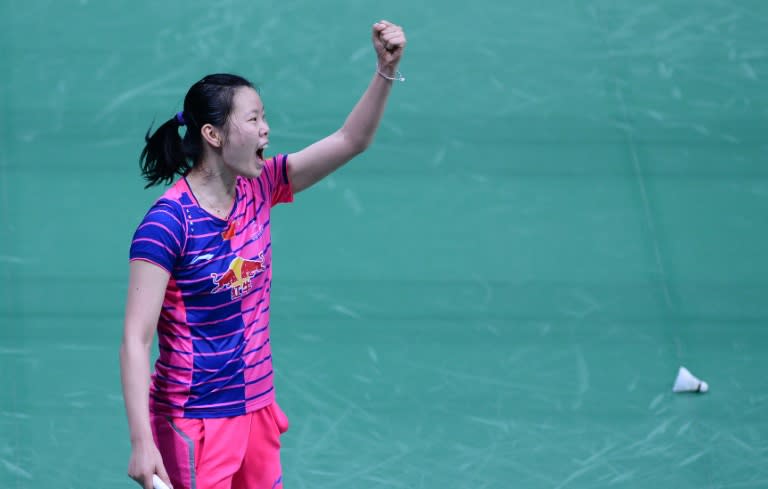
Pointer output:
x,y
241,452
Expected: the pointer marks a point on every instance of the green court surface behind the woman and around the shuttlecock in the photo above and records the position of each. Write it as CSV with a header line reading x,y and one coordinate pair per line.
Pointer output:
x,y
565,202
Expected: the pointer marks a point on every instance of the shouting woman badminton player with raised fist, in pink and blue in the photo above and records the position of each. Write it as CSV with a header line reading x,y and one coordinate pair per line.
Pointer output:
x,y
200,275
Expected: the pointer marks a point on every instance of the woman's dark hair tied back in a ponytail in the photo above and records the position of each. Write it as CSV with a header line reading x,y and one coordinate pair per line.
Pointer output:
x,y
166,154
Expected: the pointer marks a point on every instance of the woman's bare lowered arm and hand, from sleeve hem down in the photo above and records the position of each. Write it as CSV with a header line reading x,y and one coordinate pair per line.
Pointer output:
x,y
146,288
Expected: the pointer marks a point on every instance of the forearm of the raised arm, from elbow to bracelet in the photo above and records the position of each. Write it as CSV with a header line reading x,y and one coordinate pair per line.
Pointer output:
x,y
362,123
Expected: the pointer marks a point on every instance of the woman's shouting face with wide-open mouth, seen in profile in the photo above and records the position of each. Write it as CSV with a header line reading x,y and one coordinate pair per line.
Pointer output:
x,y
247,134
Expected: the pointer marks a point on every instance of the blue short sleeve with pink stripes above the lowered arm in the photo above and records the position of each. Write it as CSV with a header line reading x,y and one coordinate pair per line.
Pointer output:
x,y
159,238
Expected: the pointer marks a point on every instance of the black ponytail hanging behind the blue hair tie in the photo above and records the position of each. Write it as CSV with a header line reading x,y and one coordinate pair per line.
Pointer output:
x,y
163,155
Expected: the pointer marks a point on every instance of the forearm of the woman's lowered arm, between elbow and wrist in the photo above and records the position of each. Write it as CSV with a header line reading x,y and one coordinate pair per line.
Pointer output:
x,y
134,373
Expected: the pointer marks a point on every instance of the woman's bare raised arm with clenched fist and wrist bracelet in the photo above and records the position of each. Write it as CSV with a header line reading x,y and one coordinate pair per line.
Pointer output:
x,y
313,163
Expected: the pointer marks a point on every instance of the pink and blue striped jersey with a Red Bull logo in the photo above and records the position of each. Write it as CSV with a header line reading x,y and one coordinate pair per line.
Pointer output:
x,y
213,331
